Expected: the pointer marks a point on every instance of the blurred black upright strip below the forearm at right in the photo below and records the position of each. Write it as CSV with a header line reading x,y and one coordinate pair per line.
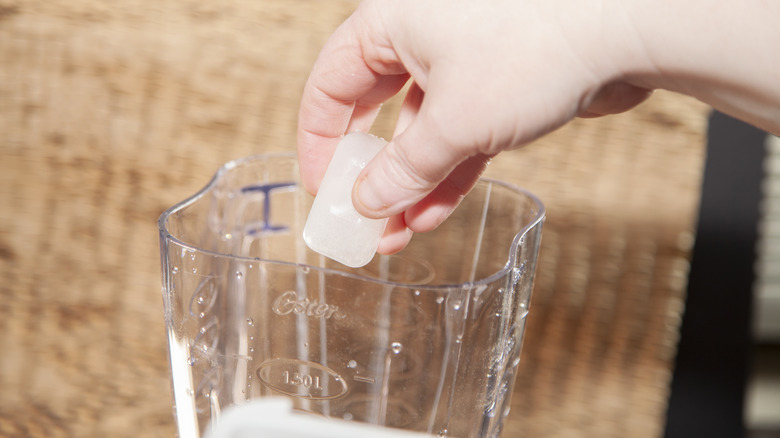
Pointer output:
x,y
712,365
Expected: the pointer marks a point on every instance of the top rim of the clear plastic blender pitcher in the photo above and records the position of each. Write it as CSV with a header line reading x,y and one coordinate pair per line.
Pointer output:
x,y
230,165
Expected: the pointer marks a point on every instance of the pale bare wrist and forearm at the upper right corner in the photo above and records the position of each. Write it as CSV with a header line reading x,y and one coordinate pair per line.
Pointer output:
x,y
719,51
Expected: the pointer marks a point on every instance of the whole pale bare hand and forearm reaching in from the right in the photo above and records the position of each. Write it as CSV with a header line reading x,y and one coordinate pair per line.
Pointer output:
x,y
493,75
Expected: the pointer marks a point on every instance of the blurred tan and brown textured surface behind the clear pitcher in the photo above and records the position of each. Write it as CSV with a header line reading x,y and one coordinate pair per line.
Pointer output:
x,y
112,111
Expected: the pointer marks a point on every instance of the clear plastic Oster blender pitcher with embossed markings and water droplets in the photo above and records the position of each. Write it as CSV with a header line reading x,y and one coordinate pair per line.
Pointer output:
x,y
427,340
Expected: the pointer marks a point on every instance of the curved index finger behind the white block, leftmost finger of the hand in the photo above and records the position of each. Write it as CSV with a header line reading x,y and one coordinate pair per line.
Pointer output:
x,y
351,78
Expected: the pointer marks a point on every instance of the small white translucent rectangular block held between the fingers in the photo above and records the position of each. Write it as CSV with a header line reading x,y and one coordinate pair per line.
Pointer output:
x,y
334,228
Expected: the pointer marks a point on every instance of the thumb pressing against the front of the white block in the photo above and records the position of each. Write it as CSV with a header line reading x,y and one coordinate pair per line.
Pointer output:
x,y
406,170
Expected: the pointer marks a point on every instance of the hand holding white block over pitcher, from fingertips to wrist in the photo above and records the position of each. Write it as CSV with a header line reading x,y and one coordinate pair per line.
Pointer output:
x,y
488,76
